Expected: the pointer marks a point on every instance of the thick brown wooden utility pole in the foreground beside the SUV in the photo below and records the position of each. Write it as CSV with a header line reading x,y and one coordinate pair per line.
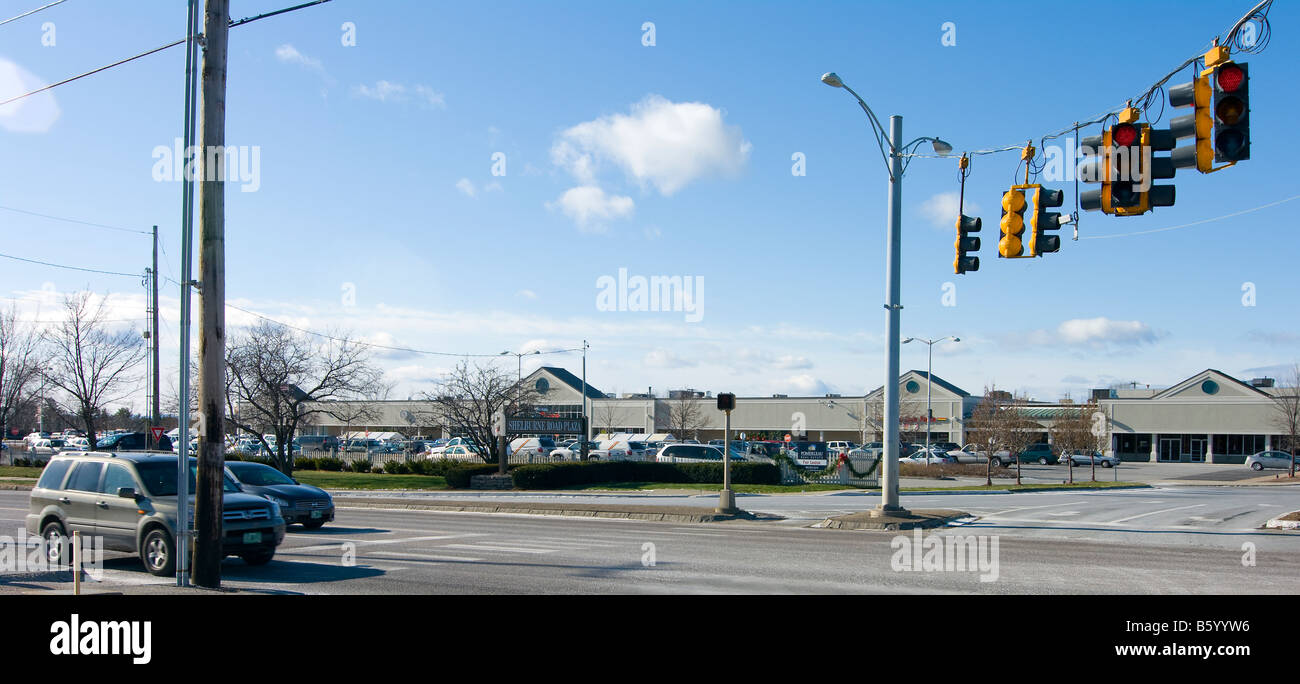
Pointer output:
x,y
213,300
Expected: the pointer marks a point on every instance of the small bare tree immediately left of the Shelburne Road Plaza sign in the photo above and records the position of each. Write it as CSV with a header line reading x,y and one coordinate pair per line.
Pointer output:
x,y
470,397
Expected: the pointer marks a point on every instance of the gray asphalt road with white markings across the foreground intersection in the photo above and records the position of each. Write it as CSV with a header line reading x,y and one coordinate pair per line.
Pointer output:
x,y
1136,542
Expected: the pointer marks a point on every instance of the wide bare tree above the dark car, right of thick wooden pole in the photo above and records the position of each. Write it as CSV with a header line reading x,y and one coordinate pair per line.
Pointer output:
x,y
279,379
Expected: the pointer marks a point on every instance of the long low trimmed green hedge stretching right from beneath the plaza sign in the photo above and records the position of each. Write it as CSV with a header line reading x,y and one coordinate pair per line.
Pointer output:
x,y
560,475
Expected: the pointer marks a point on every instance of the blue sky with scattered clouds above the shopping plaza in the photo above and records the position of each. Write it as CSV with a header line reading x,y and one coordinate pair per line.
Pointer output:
x,y
376,180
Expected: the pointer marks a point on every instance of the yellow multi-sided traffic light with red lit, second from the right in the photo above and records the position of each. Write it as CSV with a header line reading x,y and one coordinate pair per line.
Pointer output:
x,y
1125,164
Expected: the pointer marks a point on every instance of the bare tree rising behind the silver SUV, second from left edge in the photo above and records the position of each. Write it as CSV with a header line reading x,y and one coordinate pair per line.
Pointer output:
x,y
93,366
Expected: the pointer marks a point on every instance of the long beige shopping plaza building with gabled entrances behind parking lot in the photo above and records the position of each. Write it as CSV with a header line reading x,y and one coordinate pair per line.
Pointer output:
x,y
1211,417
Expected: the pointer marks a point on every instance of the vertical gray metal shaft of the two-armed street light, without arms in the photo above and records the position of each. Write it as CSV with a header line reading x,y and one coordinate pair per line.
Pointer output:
x,y
890,488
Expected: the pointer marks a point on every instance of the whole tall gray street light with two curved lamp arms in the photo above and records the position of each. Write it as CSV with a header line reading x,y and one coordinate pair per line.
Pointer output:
x,y
895,155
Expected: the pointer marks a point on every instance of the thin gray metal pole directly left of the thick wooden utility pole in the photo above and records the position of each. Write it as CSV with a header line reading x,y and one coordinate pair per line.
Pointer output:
x,y
183,509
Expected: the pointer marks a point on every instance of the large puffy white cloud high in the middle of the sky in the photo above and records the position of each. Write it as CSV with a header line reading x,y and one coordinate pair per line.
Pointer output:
x,y
660,144
